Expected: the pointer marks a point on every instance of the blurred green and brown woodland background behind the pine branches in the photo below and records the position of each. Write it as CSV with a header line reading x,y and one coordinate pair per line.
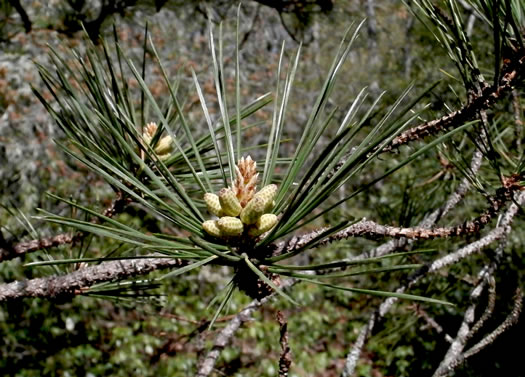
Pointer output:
x,y
161,334
